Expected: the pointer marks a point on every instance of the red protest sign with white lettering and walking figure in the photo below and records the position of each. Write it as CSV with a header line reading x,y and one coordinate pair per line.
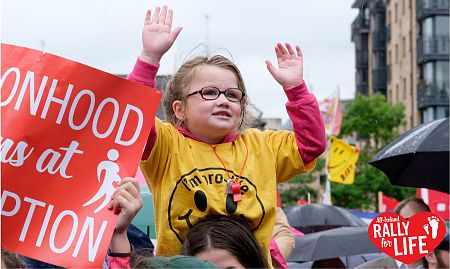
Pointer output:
x,y
69,133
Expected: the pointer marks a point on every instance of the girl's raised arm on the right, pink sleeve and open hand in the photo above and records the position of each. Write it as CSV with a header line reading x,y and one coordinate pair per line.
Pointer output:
x,y
302,106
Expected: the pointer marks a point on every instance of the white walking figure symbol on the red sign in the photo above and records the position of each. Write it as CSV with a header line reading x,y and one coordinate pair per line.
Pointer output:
x,y
109,170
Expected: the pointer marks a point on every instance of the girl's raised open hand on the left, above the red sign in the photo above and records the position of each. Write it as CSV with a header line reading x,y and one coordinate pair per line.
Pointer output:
x,y
157,35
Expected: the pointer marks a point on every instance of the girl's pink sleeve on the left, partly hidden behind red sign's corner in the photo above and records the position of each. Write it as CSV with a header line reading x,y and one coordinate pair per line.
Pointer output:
x,y
145,73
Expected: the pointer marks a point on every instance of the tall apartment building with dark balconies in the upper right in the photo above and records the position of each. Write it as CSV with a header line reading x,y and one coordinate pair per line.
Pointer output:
x,y
416,55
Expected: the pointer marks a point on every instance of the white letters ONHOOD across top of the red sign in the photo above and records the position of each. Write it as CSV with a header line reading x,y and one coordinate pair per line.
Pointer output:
x,y
91,116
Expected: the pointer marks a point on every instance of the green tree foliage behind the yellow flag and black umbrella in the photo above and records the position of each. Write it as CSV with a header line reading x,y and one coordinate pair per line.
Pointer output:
x,y
374,122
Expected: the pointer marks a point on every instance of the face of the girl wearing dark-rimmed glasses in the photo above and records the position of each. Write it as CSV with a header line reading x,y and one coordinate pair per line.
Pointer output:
x,y
210,120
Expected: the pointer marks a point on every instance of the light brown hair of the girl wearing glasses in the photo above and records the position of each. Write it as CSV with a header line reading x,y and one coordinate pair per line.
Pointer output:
x,y
176,88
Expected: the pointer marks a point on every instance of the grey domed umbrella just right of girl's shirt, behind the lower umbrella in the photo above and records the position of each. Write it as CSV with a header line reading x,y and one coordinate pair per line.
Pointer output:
x,y
320,216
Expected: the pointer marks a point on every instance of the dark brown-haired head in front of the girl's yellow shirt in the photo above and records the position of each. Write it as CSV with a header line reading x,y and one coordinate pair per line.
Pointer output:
x,y
226,241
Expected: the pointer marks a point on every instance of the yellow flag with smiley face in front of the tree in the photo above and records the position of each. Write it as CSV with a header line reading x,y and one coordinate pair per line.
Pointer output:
x,y
342,164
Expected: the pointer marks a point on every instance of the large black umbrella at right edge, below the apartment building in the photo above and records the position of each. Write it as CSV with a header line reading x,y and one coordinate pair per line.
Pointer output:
x,y
418,158
